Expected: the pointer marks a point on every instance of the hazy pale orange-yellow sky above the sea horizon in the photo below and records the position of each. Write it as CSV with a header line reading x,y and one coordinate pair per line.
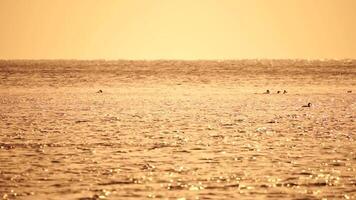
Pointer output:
x,y
177,29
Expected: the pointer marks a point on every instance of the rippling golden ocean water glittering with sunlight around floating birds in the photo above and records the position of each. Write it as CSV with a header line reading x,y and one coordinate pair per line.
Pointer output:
x,y
177,129
